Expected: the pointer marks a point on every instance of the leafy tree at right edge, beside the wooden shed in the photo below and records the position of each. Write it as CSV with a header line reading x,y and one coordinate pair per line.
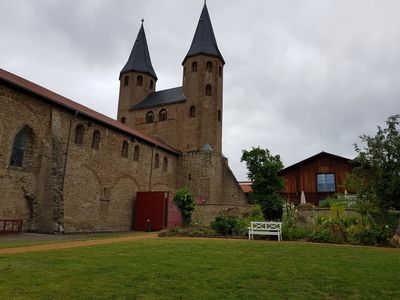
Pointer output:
x,y
378,166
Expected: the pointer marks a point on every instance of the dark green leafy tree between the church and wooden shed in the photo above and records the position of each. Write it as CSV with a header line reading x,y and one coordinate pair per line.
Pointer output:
x,y
263,171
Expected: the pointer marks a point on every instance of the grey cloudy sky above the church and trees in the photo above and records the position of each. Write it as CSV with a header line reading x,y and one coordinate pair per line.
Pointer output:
x,y
300,76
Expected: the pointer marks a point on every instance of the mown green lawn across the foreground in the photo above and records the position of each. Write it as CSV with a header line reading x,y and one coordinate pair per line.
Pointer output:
x,y
169,268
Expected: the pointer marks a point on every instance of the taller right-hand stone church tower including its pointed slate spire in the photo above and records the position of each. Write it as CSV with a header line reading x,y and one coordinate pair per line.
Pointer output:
x,y
202,85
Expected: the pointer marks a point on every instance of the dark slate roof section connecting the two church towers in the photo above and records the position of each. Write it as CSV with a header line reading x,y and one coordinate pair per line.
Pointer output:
x,y
163,97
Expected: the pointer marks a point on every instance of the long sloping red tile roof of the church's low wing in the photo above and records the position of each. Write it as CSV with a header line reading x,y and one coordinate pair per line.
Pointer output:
x,y
72,105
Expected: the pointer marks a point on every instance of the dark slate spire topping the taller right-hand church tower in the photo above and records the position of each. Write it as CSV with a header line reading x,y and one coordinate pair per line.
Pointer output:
x,y
204,41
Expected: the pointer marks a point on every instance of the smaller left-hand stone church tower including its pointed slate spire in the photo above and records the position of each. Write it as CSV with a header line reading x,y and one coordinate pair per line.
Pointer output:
x,y
137,79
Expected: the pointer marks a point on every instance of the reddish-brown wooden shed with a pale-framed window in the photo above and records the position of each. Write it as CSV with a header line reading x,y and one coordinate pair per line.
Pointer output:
x,y
319,176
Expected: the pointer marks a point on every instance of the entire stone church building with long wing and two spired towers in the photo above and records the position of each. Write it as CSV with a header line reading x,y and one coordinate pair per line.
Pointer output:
x,y
67,168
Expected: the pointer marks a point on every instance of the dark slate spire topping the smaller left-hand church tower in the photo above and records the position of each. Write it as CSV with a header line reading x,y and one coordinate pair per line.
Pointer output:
x,y
139,60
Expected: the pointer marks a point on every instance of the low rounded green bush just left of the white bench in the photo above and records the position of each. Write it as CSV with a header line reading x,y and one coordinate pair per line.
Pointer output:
x,y
229,226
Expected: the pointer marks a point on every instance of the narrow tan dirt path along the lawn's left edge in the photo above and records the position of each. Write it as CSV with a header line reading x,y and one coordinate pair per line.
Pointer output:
x,y
65,245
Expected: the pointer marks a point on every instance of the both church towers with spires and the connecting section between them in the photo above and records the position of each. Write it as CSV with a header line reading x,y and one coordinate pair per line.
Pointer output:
x,y
189,117
